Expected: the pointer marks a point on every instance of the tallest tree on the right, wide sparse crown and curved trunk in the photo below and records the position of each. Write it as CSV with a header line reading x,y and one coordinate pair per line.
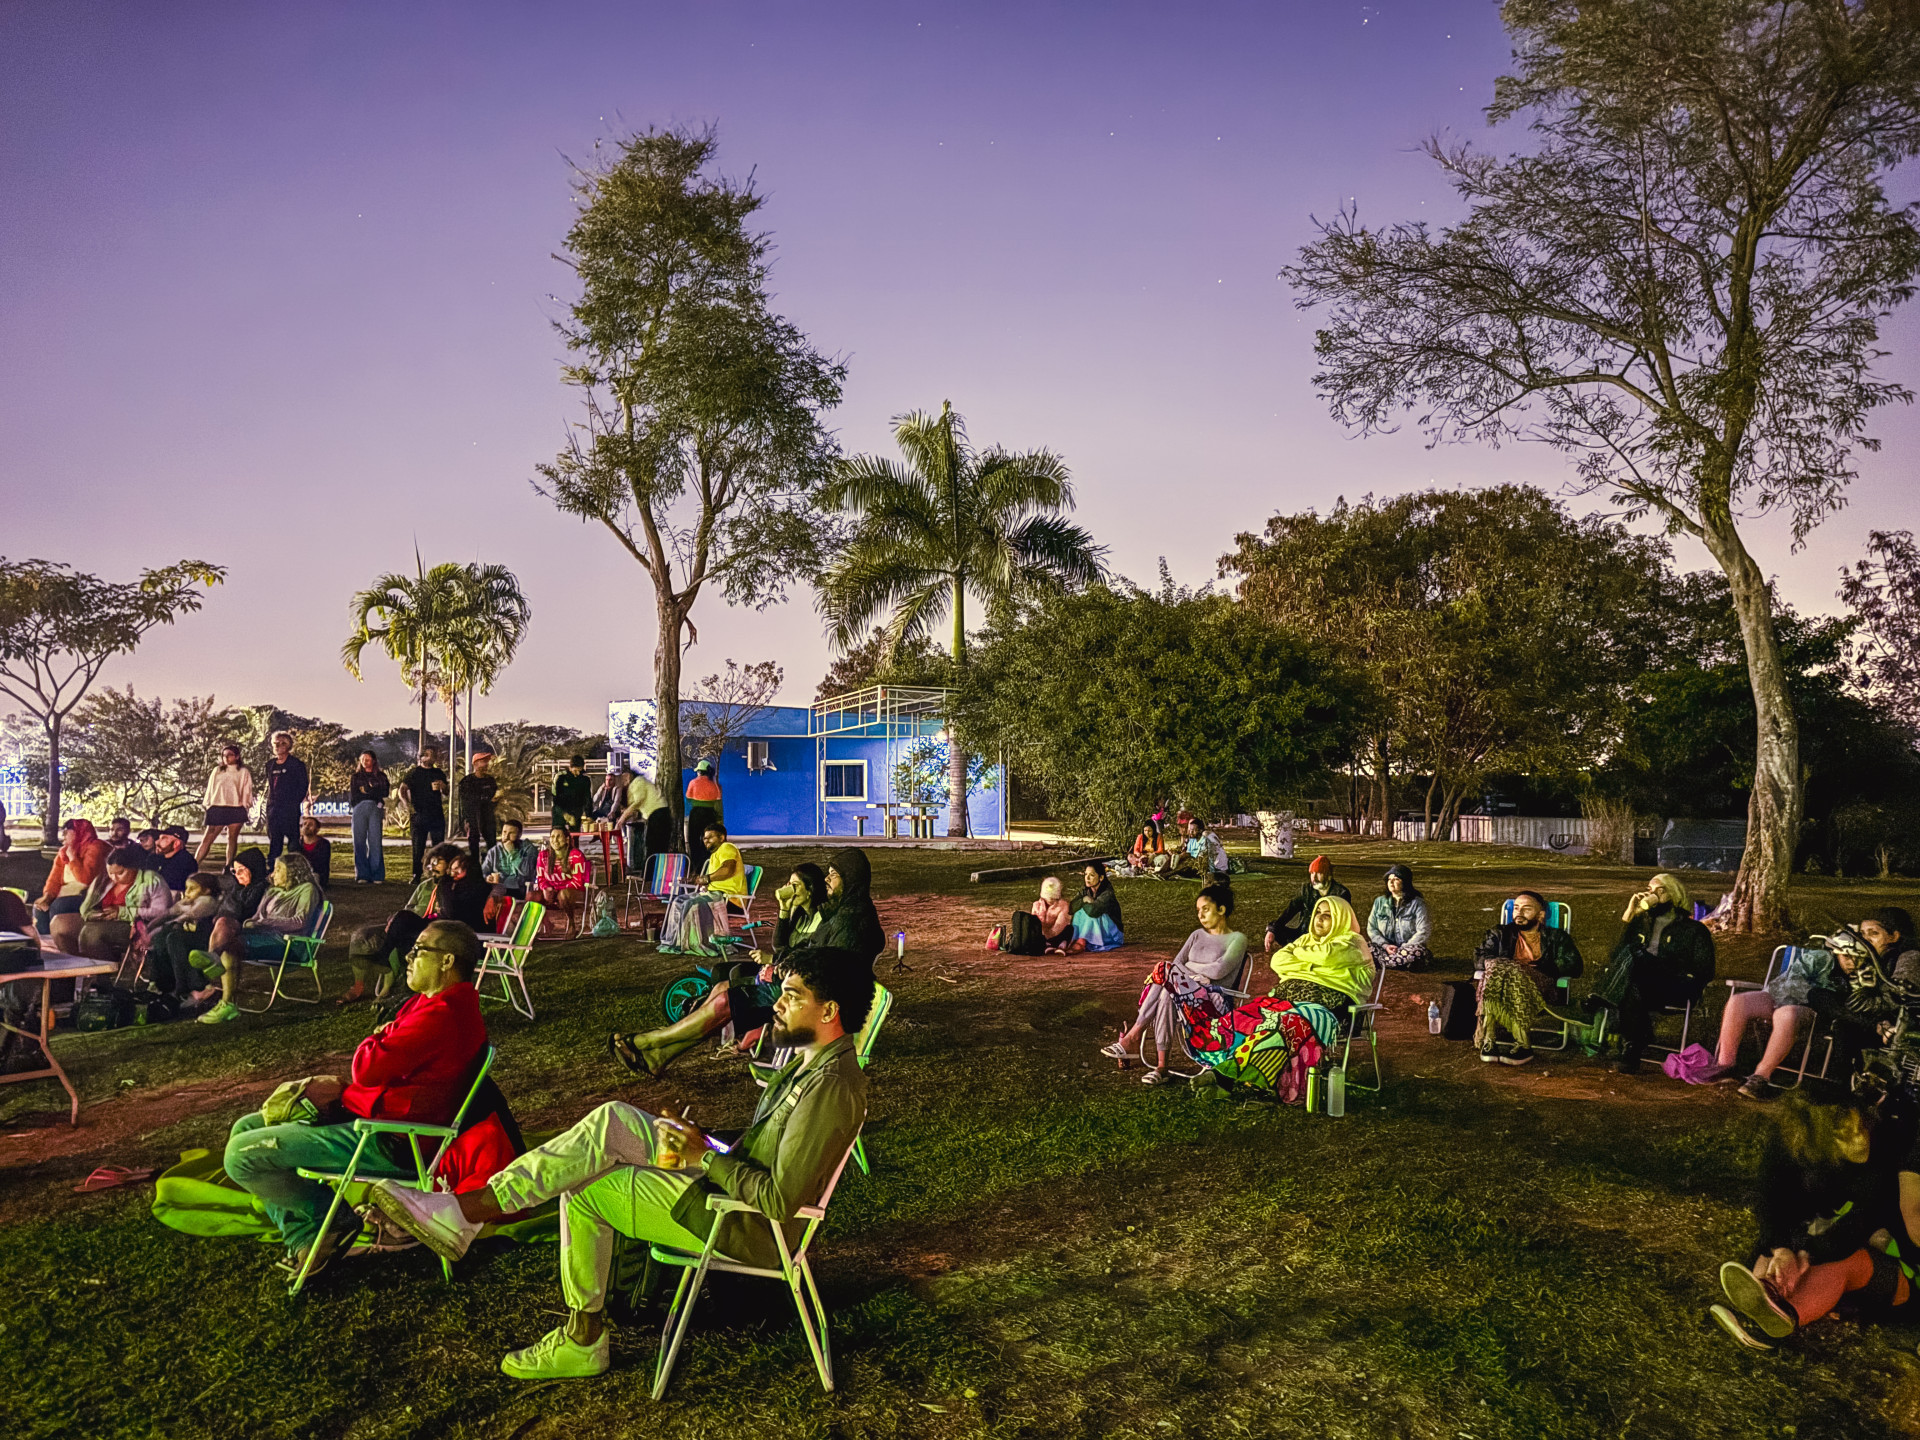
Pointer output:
x,y
1679,285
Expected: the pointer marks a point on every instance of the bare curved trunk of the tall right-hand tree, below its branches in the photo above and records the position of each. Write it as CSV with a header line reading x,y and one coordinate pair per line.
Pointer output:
x,y
1777,800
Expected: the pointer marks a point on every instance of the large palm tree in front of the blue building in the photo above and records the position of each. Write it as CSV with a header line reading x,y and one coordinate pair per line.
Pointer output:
x,y
946,523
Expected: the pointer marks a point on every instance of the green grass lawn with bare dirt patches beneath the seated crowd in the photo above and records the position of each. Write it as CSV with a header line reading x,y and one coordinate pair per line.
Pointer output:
x,y
1045,1247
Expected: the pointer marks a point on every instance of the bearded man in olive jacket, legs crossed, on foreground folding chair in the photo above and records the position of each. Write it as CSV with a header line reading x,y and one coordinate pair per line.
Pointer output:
x,y
648,1178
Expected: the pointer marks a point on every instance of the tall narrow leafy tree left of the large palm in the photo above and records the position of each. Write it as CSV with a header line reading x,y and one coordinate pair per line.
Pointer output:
x,y
704,450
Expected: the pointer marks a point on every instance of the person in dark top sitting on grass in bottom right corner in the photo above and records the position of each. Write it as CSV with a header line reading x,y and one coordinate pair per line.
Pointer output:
x,y
1838,1203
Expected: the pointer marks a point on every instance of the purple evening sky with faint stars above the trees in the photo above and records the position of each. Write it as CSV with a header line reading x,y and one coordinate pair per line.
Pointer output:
x,y
276,287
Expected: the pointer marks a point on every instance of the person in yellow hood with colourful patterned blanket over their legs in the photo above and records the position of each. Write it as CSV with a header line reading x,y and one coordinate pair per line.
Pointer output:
x,y
1274,1042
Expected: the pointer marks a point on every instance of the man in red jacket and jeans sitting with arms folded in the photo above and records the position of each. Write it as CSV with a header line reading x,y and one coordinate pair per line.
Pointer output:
x,y
418,1067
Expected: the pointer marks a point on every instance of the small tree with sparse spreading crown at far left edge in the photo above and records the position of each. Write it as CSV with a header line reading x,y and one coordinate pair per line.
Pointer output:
x,y
60,627
